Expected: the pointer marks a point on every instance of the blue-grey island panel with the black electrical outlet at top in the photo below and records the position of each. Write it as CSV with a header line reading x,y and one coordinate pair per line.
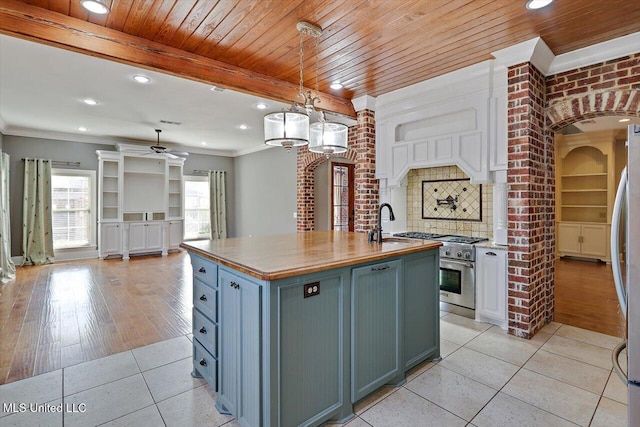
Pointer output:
x,y
311,348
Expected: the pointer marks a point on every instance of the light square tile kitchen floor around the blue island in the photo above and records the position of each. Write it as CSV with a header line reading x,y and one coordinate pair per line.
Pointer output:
x,y
562,377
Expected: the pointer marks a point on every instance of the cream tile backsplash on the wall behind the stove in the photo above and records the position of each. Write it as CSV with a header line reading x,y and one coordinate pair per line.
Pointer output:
x,y
415,220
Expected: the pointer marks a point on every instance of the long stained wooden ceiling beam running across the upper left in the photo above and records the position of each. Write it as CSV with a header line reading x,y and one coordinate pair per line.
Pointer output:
x,y
55,29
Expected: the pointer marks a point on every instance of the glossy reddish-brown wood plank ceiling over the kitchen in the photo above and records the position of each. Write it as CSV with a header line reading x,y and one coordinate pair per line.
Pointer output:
x,y
371,46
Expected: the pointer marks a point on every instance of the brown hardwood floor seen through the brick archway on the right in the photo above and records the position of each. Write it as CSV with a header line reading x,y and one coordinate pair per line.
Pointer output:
x,y
586,297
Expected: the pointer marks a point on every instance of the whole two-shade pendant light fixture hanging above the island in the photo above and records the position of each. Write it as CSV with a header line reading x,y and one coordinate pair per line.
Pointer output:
x,y
290,128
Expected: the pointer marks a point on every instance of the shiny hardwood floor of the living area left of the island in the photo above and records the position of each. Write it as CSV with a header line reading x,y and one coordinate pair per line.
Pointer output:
x,y
58,315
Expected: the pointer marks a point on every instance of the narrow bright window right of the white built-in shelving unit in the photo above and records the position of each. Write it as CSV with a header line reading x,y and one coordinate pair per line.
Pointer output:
x,y
197,223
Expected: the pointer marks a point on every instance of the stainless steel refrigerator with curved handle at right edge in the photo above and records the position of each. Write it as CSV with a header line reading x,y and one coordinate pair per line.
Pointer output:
x,y
626,221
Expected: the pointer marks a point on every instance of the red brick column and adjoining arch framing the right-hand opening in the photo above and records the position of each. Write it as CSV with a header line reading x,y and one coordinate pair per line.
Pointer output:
x,y
538,107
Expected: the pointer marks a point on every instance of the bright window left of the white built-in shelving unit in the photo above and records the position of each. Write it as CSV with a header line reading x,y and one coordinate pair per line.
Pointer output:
x,y
73,214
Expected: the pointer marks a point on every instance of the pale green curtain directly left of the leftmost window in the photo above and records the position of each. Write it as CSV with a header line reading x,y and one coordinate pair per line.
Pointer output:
x,y
37,233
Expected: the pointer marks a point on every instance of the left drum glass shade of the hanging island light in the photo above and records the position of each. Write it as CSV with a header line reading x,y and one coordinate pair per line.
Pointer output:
x,y
286,129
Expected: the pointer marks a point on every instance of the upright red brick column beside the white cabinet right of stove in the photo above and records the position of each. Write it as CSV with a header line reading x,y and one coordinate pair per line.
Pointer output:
x,y
528,197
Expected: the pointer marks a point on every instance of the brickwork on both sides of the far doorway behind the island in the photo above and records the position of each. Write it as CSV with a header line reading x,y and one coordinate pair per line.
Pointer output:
x,y
361,140
